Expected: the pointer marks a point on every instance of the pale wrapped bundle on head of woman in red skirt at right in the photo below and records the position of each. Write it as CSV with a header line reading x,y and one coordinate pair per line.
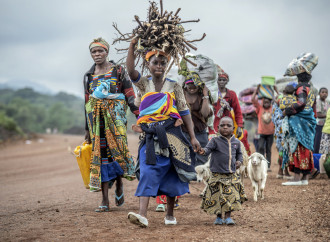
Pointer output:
x,y
305,62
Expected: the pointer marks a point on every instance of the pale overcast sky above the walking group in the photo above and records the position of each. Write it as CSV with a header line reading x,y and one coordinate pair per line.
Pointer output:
x,y
47,41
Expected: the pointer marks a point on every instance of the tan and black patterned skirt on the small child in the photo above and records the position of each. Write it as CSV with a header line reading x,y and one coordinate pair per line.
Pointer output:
x,y
224,193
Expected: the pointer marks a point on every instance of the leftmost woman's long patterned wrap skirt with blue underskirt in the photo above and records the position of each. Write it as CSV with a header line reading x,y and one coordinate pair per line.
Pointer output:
x,y
110,156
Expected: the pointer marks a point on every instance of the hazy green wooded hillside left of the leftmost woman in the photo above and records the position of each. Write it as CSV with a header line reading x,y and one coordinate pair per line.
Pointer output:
x,y
35,112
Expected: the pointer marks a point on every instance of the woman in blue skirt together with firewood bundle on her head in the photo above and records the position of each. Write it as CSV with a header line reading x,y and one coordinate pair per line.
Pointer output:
x,y
166,158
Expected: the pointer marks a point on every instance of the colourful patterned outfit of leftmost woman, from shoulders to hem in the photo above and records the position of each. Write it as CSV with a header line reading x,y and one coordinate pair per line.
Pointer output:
x,y
106,108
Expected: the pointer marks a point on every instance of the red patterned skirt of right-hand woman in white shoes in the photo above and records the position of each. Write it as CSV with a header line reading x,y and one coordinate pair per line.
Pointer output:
x,y
301,161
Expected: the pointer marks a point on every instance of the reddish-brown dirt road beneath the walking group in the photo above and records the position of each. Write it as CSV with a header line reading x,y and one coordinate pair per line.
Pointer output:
x,y
43,199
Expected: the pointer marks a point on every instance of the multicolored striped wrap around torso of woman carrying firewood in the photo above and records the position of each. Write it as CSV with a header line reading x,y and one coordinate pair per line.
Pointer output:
x,y
157,106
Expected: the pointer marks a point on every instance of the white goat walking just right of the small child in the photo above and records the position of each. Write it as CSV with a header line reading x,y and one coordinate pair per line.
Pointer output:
x,y
257,170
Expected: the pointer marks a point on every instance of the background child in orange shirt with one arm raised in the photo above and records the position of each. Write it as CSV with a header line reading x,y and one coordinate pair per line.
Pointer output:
x,y
266,127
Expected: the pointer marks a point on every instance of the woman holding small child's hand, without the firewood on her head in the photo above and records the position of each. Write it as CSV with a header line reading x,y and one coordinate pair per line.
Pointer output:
x,y
166,158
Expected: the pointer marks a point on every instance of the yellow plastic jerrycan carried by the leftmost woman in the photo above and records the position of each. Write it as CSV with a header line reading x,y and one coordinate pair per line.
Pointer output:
x,y
83,155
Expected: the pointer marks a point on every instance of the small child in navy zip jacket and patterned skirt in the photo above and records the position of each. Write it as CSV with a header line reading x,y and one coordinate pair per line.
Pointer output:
x,y
224,192
